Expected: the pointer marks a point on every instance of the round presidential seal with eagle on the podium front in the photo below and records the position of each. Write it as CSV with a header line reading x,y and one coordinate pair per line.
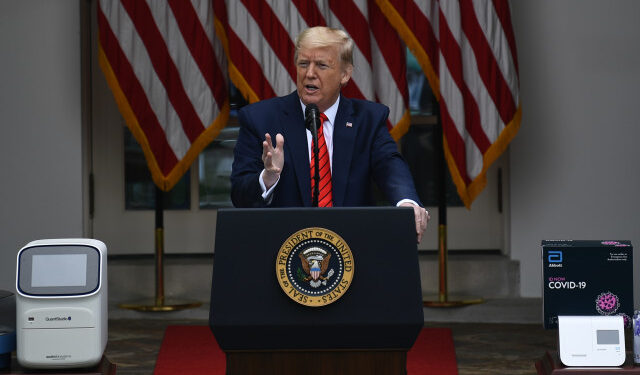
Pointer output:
x,y
314,267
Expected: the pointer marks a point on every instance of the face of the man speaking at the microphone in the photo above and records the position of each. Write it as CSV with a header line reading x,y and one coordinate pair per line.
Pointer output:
x,y
321,74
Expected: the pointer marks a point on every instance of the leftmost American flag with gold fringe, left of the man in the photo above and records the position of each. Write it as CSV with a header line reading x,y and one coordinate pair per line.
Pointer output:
x,y
167,71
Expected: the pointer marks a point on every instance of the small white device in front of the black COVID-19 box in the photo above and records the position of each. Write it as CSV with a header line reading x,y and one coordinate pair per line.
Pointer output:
x,y
588,341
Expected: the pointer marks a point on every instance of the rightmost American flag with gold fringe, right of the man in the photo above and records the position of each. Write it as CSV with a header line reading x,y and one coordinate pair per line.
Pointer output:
x,y
467,50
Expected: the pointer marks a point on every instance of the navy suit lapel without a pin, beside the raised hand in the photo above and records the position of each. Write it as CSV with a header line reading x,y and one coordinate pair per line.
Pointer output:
x,y
295,143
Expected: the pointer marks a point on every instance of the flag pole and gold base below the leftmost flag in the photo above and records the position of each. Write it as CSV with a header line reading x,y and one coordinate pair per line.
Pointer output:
x,y
159,303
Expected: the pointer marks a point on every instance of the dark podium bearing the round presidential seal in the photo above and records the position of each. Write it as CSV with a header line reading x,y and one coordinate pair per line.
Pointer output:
x,y
367,330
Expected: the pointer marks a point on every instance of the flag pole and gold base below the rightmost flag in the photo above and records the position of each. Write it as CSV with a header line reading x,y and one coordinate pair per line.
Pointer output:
x,y
443,299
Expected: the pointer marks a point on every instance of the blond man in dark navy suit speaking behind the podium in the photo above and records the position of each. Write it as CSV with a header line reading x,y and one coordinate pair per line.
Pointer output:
x,y
359,145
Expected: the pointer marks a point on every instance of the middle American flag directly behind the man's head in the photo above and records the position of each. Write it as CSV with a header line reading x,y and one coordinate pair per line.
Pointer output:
x,y
259,37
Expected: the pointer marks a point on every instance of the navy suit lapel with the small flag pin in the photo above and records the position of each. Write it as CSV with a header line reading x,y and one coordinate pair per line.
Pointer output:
x,y
343,143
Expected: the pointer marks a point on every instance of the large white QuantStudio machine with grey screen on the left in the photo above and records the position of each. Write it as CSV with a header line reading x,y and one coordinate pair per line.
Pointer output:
x,y
61,304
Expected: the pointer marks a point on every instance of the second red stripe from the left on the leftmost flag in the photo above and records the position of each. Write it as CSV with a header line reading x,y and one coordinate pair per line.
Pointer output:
x,y
164,66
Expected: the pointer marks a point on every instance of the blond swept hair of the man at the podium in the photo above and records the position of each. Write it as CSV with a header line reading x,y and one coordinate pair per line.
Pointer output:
x,y
321,36
